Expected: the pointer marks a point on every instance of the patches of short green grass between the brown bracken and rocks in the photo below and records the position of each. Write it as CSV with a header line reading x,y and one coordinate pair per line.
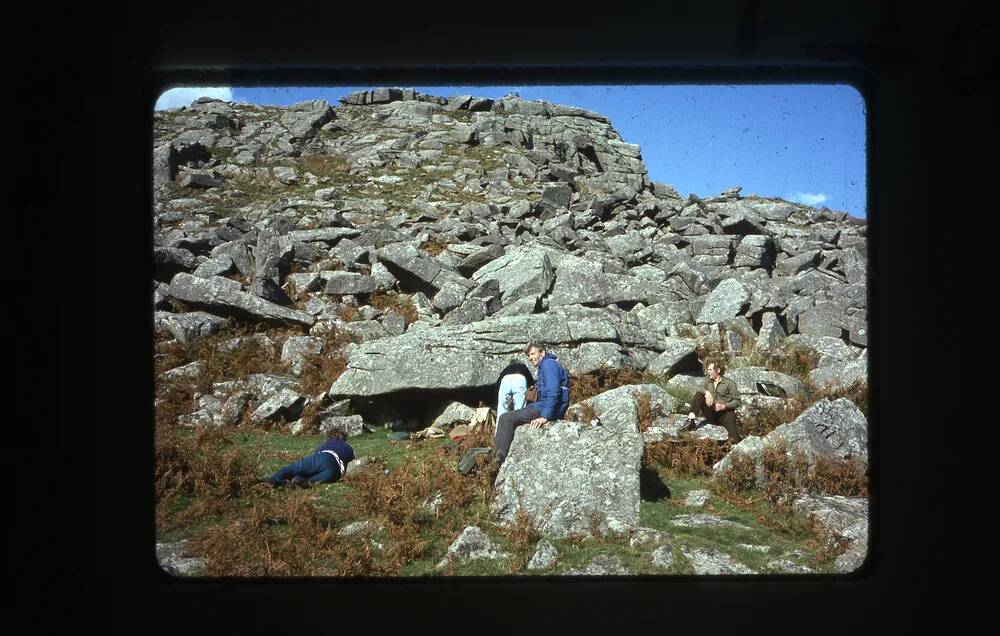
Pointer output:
x,y
274,449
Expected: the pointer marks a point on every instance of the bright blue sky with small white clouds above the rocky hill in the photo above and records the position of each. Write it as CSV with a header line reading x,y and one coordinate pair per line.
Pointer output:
x,y
803,143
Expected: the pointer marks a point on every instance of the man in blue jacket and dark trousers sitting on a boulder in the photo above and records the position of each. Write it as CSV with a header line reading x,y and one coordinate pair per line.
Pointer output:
x,y
553,400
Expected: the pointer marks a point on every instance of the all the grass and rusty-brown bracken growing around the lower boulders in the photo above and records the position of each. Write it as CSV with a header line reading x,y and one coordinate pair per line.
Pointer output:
x,y
207,491
